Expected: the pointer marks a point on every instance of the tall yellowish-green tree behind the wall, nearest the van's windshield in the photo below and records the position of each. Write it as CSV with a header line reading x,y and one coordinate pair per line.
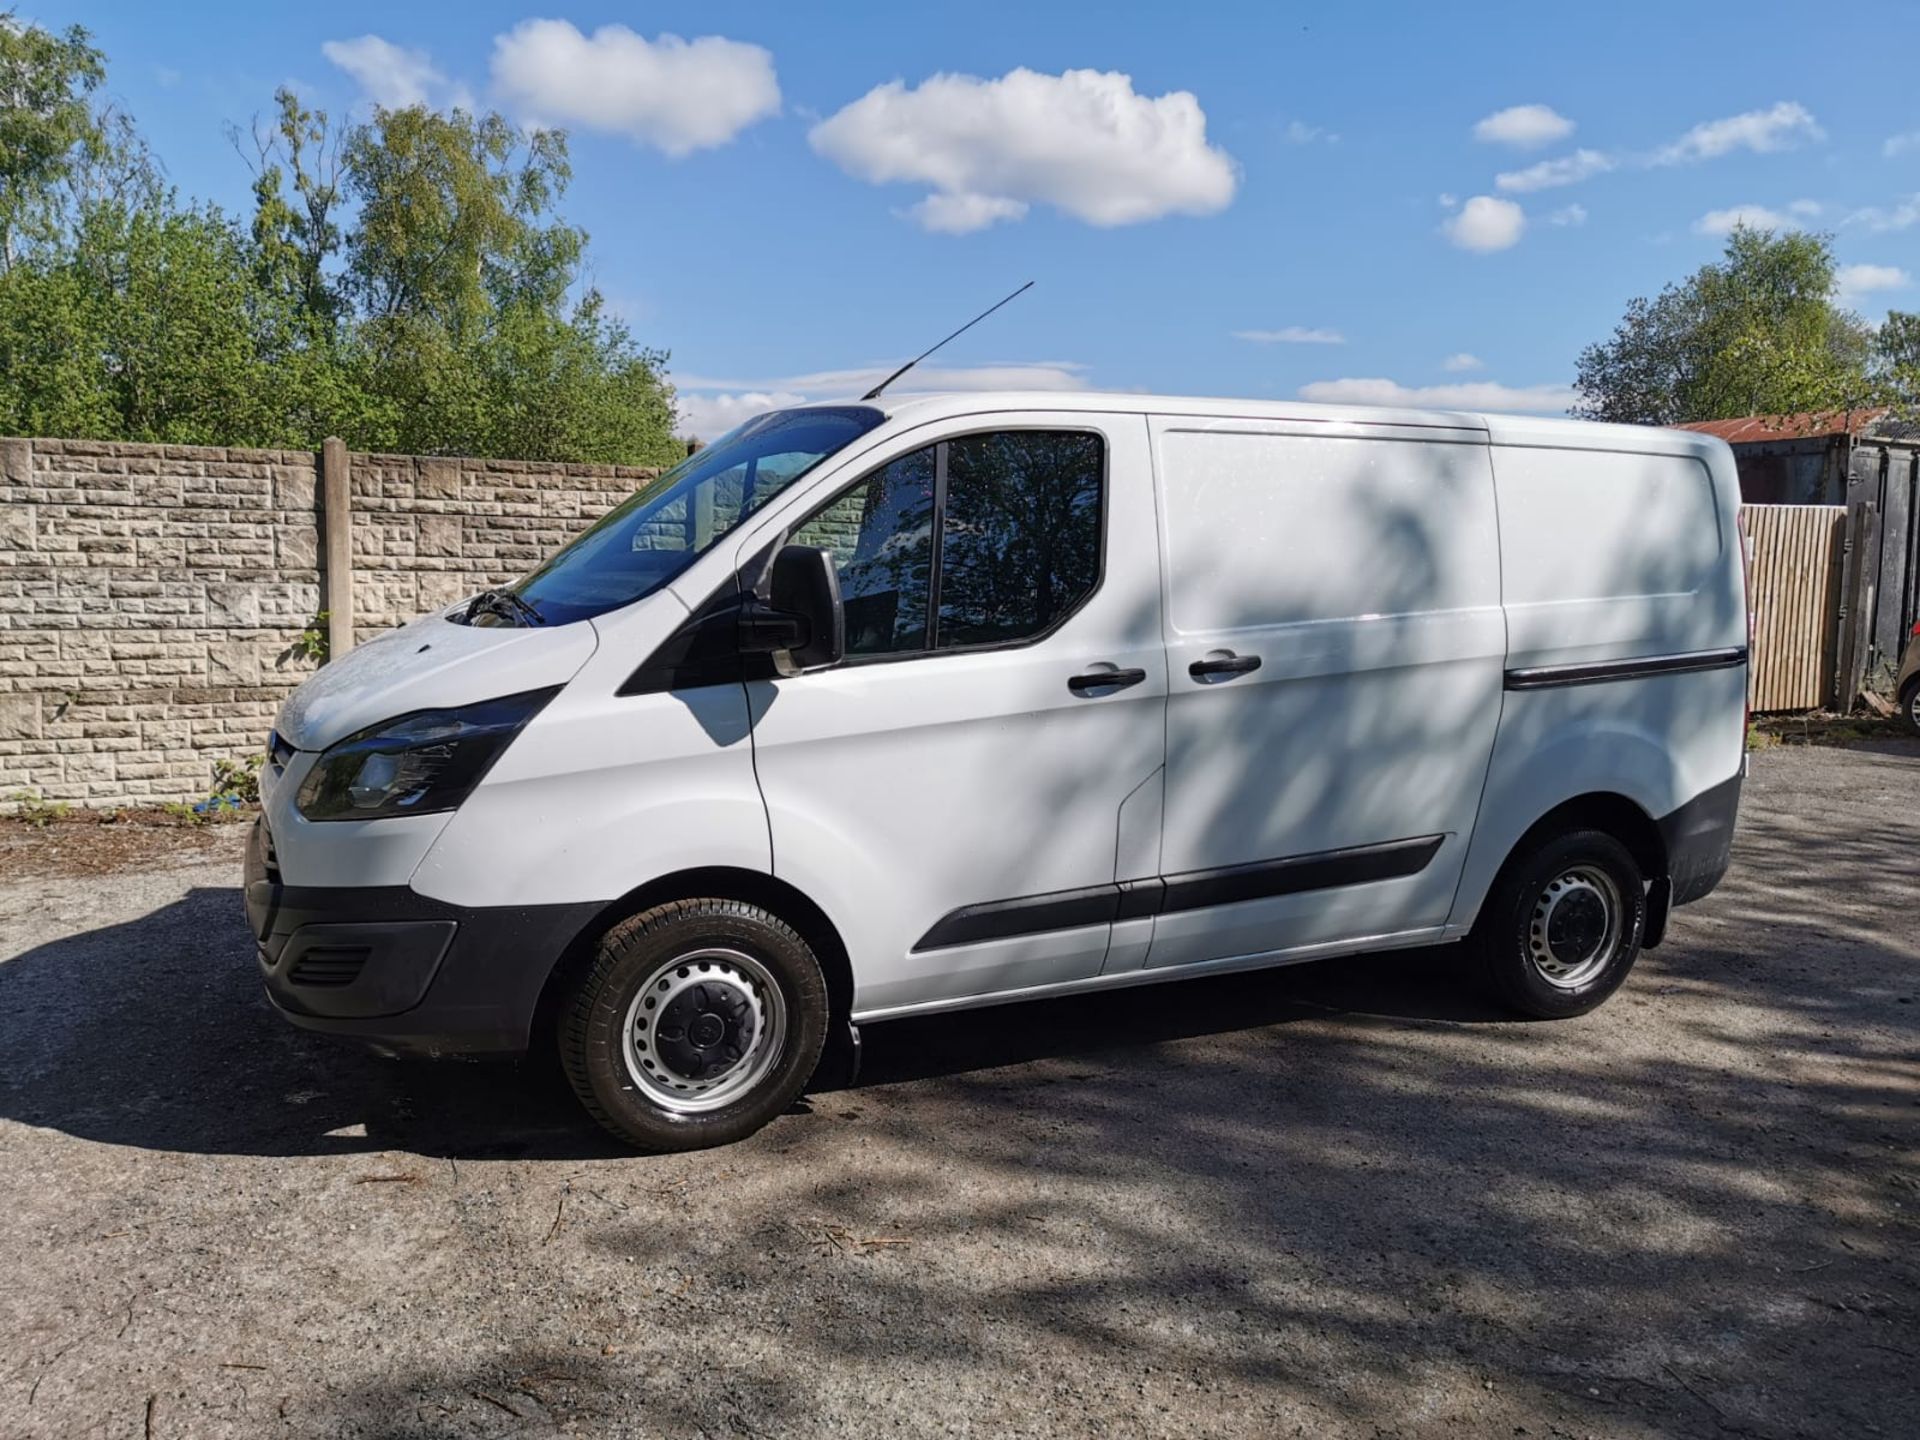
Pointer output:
x,y
460,276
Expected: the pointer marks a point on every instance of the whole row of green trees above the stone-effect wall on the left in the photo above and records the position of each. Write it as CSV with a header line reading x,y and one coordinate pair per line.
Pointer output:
x,y
404,283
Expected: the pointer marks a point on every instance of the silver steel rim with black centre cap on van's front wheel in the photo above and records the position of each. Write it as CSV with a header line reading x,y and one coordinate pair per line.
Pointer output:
x,y
686,1022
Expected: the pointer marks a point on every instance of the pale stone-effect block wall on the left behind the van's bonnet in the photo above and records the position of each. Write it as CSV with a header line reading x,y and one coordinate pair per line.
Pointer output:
x,y
153,598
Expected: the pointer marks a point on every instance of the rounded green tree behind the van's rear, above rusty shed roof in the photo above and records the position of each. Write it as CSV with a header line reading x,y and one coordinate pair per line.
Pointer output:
x,y
1756,333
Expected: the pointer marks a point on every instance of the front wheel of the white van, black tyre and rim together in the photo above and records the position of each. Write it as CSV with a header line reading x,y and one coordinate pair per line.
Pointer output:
x,y
694,1024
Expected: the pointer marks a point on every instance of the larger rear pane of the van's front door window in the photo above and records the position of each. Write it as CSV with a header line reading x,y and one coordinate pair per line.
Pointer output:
x,y
1022,537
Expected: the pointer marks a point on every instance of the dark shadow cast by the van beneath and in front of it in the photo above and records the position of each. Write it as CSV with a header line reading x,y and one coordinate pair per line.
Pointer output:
x,y
155,1034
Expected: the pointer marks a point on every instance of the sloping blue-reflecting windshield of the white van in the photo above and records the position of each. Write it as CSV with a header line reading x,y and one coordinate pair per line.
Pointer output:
x,y
669,523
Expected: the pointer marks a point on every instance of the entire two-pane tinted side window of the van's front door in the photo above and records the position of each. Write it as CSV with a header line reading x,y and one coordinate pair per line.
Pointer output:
x,y
1020,544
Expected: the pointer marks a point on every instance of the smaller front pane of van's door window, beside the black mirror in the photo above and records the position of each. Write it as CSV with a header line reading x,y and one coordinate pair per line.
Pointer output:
x,y
882,540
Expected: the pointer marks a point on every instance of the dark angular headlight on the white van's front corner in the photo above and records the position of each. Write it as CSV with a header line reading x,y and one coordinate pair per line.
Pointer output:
x,y
421,763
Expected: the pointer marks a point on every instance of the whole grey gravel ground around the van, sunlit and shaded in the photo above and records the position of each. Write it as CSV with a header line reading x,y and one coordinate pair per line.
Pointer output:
x,y
1341,1199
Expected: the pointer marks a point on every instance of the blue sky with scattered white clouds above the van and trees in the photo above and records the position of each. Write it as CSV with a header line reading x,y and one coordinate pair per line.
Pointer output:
x,y
1274,201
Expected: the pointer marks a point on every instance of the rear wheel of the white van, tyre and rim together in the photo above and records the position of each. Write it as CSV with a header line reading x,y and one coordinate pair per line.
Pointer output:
x,y
1562,924
